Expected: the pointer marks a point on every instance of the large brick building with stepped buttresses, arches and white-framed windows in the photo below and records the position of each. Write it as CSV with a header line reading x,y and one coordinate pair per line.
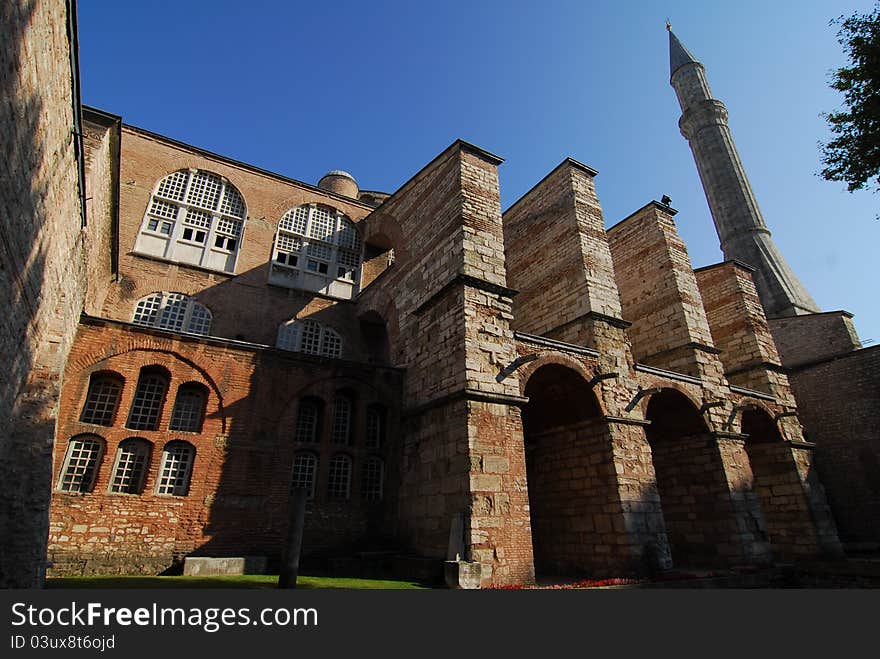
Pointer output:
x,y
517,395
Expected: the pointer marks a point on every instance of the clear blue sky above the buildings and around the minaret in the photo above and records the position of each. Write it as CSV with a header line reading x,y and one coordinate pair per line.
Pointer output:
x,y
380,88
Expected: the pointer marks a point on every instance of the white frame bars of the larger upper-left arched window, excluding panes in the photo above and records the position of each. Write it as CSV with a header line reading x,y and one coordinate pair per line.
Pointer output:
x,y
229,207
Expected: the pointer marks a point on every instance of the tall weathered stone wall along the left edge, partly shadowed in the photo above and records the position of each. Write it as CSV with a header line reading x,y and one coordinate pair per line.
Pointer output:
x,y
42,270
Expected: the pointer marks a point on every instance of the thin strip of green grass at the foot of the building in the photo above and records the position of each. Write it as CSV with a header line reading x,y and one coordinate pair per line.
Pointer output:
x,y
258,581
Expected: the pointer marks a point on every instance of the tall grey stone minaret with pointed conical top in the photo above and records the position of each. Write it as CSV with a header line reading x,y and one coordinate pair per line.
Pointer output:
x,y
741,229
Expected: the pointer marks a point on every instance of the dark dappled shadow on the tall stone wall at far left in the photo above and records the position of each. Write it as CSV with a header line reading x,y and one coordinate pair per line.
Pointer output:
x,y
29,393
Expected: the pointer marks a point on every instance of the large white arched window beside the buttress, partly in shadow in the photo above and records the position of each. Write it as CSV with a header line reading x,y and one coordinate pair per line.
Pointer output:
x,y
317,248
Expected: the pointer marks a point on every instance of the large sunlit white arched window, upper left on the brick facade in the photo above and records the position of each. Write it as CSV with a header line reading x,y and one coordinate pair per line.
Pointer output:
x,y
194,217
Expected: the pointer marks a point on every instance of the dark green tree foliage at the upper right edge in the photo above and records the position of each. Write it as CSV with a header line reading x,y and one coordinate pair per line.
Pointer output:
x,y
853,156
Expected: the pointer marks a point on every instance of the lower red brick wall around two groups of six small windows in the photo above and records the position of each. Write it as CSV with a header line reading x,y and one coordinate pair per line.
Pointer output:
x,y
239,499
